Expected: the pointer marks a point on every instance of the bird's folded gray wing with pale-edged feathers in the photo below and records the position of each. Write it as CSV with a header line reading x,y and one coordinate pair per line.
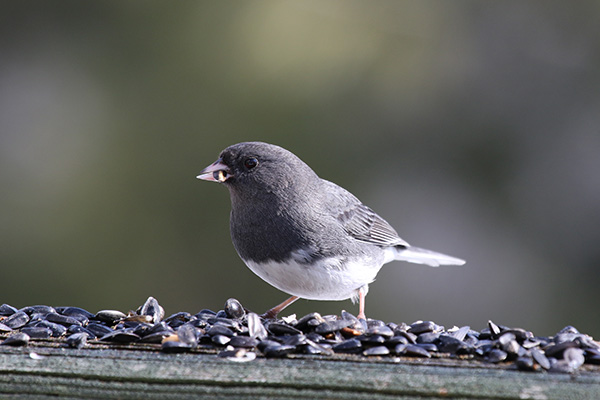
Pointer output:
x,y
360,221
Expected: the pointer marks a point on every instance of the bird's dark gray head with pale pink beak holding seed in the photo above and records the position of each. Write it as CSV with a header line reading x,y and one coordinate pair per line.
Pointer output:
x,y
257,167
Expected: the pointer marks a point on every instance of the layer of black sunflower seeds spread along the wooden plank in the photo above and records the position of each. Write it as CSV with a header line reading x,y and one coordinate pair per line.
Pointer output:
x,y
239,335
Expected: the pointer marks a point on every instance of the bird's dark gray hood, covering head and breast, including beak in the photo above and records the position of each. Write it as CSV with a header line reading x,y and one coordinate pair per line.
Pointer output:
x,y
274,196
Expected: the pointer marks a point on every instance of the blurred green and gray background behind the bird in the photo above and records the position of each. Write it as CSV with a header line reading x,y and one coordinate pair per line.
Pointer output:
x,y
472,127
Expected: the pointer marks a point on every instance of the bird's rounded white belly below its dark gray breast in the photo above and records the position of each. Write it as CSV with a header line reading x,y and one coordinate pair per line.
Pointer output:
x,y
326,279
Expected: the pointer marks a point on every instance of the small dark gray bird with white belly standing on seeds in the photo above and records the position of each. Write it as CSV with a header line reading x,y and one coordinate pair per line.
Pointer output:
x,y
302,234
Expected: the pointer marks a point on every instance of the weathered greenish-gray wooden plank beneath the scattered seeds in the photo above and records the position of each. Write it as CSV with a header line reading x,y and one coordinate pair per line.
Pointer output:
x,y
117,374
